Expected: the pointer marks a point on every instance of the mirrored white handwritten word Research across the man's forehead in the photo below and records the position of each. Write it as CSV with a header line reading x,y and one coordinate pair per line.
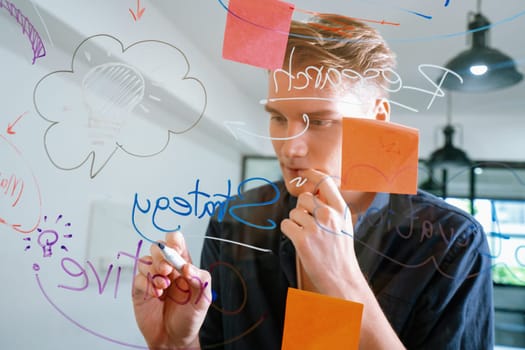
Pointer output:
x,y
335,78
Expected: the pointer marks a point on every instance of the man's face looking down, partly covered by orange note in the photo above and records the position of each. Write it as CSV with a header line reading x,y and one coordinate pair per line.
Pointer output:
x,y
319,147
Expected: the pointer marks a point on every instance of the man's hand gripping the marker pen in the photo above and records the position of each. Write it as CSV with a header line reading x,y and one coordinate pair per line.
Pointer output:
x,y
169,306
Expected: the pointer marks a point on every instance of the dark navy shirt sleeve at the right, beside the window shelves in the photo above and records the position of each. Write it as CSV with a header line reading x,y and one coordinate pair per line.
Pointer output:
x,y
457,309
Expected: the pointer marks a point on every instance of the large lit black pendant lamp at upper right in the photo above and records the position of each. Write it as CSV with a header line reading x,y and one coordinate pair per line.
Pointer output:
x,y
482,68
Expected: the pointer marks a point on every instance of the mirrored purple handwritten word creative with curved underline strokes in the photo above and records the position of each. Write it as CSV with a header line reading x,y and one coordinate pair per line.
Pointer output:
x,y
82,279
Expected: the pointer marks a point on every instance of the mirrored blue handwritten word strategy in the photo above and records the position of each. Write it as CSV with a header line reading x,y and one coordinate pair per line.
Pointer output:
x,y
198,204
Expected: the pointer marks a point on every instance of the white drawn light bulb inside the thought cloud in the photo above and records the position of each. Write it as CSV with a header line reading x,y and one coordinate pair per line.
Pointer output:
x,y
111,91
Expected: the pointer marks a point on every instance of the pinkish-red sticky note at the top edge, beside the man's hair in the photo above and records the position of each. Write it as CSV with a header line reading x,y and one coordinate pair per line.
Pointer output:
x,y
257,32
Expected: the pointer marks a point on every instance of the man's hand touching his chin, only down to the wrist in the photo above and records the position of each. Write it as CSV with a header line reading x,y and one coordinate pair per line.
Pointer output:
x,y
321,230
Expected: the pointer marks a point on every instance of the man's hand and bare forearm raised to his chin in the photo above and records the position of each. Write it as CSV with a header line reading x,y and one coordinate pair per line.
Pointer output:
x,y
321,229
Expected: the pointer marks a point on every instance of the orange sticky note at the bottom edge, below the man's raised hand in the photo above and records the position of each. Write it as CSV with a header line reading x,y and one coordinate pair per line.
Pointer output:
x,y
316,321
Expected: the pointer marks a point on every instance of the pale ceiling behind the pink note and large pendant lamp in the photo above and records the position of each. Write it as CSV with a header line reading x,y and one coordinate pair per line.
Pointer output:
x,y
416,40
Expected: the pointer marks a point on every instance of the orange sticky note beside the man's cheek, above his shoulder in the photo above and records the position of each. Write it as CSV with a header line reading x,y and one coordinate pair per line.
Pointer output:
x,y
379,156
